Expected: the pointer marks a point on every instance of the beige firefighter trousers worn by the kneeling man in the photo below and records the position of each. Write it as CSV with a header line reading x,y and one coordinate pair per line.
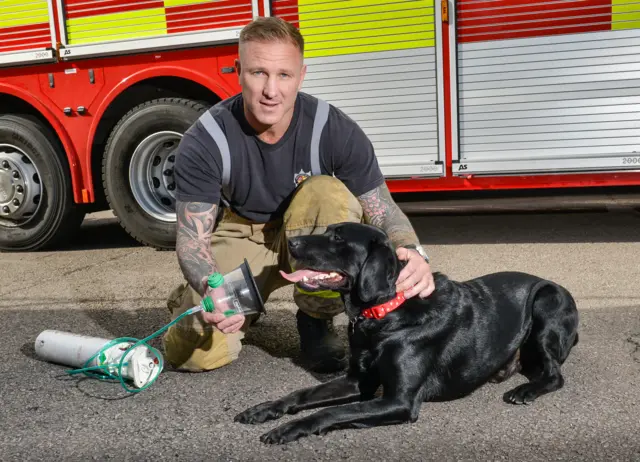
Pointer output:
x,y
194,345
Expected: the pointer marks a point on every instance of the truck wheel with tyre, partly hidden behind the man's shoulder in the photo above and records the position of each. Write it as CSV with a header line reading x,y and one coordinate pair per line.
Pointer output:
x,y
137,169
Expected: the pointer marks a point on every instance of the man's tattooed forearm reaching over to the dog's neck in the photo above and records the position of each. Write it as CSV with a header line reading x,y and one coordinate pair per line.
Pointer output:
x,y
381,210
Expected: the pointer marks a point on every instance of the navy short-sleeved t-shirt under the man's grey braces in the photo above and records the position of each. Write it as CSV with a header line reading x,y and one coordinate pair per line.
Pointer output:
x,y
264,176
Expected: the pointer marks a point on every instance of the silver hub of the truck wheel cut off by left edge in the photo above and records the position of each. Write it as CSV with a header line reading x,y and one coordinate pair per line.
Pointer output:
x,y
19,184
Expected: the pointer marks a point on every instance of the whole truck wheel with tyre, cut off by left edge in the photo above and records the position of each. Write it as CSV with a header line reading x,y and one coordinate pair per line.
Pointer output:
x,y
36,197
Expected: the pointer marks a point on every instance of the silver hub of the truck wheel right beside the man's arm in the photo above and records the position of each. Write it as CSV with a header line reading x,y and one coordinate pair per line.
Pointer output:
x,y
151,174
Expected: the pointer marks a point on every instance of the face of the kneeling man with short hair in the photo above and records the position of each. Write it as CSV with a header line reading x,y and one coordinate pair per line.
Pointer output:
x,y
271,75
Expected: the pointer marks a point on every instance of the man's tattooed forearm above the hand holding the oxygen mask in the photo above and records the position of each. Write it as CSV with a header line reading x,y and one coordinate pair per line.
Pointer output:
x,y
193,242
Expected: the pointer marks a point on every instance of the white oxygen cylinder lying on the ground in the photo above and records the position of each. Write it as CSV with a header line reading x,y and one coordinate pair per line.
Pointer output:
x,y
74,350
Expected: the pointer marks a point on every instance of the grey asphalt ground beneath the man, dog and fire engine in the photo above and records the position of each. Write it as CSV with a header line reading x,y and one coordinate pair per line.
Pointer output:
x,y
106,285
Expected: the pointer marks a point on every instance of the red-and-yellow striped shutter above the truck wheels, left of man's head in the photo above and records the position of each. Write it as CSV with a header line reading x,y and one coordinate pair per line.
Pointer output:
x,y
108,27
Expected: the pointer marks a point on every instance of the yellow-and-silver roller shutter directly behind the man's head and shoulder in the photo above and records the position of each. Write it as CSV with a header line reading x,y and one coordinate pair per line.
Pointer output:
x,y
377,61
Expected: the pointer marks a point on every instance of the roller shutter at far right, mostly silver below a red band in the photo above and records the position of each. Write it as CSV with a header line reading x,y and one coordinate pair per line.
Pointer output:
x,y
548,85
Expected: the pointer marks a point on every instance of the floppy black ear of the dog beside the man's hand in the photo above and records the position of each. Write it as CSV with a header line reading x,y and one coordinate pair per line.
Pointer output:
x,y
378,274
